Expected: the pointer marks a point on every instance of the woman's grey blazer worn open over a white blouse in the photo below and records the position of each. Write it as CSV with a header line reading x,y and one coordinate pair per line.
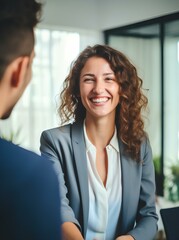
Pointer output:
x,y
65,146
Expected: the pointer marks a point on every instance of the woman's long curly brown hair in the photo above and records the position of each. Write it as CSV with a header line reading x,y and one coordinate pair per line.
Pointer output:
x,y
129,122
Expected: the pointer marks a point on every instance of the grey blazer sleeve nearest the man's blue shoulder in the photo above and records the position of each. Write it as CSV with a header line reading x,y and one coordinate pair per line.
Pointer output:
x,y
52,149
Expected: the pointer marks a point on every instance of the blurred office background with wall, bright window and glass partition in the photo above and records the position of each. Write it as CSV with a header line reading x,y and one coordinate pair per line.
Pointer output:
x,y
146,31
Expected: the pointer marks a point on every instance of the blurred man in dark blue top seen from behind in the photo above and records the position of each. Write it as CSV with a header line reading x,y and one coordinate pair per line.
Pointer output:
x,y
29,196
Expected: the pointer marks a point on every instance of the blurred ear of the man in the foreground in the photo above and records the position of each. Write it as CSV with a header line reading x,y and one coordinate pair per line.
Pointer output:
x,y
19,68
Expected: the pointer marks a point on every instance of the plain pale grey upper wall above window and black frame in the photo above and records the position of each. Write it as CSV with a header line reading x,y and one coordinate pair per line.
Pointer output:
x,y
104,14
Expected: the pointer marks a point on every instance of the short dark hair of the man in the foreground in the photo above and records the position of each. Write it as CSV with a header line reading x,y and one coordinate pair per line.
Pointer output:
x,y
17,21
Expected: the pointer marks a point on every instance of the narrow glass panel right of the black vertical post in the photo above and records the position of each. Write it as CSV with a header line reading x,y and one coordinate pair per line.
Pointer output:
x,y
171,109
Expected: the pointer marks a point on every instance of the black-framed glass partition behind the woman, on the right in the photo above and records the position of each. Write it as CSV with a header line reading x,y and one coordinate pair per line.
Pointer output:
x,y
153,47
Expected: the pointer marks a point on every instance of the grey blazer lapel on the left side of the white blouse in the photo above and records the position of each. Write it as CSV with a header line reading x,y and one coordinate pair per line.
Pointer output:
x,y
81,166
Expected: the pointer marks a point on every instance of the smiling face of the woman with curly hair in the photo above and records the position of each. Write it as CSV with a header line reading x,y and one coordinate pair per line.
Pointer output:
x,y
99,90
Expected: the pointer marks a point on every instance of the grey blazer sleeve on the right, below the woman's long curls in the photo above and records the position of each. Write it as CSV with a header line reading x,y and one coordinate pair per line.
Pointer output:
x,y
146,219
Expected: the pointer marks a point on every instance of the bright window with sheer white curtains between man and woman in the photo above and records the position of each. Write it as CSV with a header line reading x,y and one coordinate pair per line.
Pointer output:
x,y
36,110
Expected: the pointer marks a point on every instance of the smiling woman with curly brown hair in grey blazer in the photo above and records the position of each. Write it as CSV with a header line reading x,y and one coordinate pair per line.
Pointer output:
x,y
103,159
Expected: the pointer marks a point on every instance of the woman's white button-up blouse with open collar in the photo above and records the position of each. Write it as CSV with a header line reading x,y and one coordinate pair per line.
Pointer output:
x,y
104,202
